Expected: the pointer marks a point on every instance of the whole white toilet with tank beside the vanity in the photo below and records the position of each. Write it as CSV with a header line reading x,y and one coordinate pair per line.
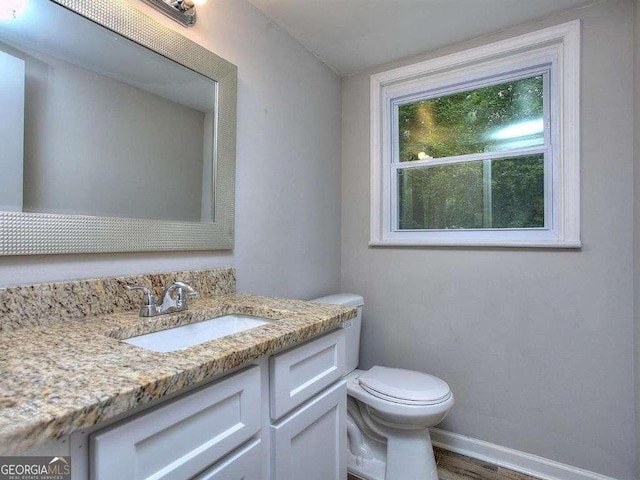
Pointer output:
x,y
389,412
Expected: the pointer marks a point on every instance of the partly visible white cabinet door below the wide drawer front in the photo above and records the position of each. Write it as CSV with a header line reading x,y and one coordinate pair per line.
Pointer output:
x,y
245,464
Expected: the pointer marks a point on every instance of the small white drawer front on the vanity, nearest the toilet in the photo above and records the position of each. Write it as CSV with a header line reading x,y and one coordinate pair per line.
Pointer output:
x,y
300,373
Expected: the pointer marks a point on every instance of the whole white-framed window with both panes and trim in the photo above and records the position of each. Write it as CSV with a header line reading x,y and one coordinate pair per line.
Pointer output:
x,y
480,147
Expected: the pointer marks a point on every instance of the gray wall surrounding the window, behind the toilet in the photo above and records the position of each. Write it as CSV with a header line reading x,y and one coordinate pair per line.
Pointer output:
x,y
537,345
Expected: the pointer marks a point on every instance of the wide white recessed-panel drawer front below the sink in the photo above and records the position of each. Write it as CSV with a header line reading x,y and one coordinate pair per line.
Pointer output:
x,y
179,440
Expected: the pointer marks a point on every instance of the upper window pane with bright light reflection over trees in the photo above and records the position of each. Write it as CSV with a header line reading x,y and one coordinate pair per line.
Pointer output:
x,y
487,119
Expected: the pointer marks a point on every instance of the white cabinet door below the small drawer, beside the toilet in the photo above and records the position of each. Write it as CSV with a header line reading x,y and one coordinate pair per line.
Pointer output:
x,y
311,442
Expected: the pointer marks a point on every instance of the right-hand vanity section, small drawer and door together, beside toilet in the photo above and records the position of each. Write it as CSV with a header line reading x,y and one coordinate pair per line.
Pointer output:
x,y
309,410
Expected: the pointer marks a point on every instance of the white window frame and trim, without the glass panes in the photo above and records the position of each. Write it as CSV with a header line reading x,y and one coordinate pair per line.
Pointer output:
x,y
554,50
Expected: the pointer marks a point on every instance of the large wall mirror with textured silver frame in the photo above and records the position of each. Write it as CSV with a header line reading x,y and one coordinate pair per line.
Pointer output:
x,y
117,133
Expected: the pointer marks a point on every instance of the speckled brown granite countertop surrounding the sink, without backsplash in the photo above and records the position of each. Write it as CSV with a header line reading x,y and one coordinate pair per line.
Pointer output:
x,y
61,377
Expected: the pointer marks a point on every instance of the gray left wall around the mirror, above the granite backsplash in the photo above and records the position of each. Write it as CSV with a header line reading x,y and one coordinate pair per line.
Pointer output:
x,y
288,168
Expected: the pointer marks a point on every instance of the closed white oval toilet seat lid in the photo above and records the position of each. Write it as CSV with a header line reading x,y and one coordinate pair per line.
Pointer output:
x,y
406,387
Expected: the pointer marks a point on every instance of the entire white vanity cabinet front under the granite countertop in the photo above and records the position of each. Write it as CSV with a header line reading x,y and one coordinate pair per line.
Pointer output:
x,y
283,418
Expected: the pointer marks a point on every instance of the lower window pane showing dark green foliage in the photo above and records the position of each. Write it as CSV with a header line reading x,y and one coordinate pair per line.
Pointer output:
x,y
503,193
